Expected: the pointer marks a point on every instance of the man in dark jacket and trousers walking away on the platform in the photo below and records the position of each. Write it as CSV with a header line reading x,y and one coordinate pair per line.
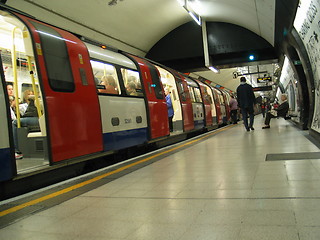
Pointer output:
x,y
246,102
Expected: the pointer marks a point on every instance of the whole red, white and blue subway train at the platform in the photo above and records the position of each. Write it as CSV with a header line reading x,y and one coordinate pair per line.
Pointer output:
x,y
91,100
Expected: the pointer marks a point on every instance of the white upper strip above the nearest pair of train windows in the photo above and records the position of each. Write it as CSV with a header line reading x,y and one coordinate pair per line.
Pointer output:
x,y
109,56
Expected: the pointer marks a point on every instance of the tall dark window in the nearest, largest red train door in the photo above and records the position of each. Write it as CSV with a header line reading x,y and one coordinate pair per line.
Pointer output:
x,y
55,53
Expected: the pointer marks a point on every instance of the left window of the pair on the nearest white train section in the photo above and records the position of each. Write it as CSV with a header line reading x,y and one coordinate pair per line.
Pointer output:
x,y
106,78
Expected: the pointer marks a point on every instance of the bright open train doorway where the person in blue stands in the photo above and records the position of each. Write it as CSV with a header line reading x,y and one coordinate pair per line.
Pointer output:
x,y
168,82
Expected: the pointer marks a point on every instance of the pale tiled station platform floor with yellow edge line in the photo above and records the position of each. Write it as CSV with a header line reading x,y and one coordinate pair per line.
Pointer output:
x,y
227,184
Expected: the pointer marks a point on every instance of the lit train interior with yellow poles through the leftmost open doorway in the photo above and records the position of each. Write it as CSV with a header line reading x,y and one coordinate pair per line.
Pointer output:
x,y
26,99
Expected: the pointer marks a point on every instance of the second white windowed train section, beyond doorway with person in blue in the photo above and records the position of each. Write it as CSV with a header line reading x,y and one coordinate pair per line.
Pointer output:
x,y
197,105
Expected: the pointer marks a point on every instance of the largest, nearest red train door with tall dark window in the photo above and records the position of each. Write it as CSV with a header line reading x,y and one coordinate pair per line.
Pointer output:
x,y
71,103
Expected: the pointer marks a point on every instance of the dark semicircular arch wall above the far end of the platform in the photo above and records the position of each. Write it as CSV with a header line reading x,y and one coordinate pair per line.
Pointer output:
x,y
229,46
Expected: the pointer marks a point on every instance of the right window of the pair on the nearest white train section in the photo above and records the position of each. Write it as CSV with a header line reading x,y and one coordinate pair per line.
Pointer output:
x,y
132,82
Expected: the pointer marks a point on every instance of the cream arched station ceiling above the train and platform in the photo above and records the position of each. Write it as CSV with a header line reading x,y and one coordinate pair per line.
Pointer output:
x,y
136,25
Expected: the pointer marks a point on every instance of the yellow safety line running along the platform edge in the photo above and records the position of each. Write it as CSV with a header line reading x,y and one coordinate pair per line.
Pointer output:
x,y
79,185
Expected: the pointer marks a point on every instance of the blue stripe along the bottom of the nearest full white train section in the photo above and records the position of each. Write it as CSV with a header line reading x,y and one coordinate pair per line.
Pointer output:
x,y
124,139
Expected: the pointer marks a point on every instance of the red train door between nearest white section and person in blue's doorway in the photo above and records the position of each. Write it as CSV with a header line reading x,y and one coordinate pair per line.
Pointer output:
x,y
157,107
